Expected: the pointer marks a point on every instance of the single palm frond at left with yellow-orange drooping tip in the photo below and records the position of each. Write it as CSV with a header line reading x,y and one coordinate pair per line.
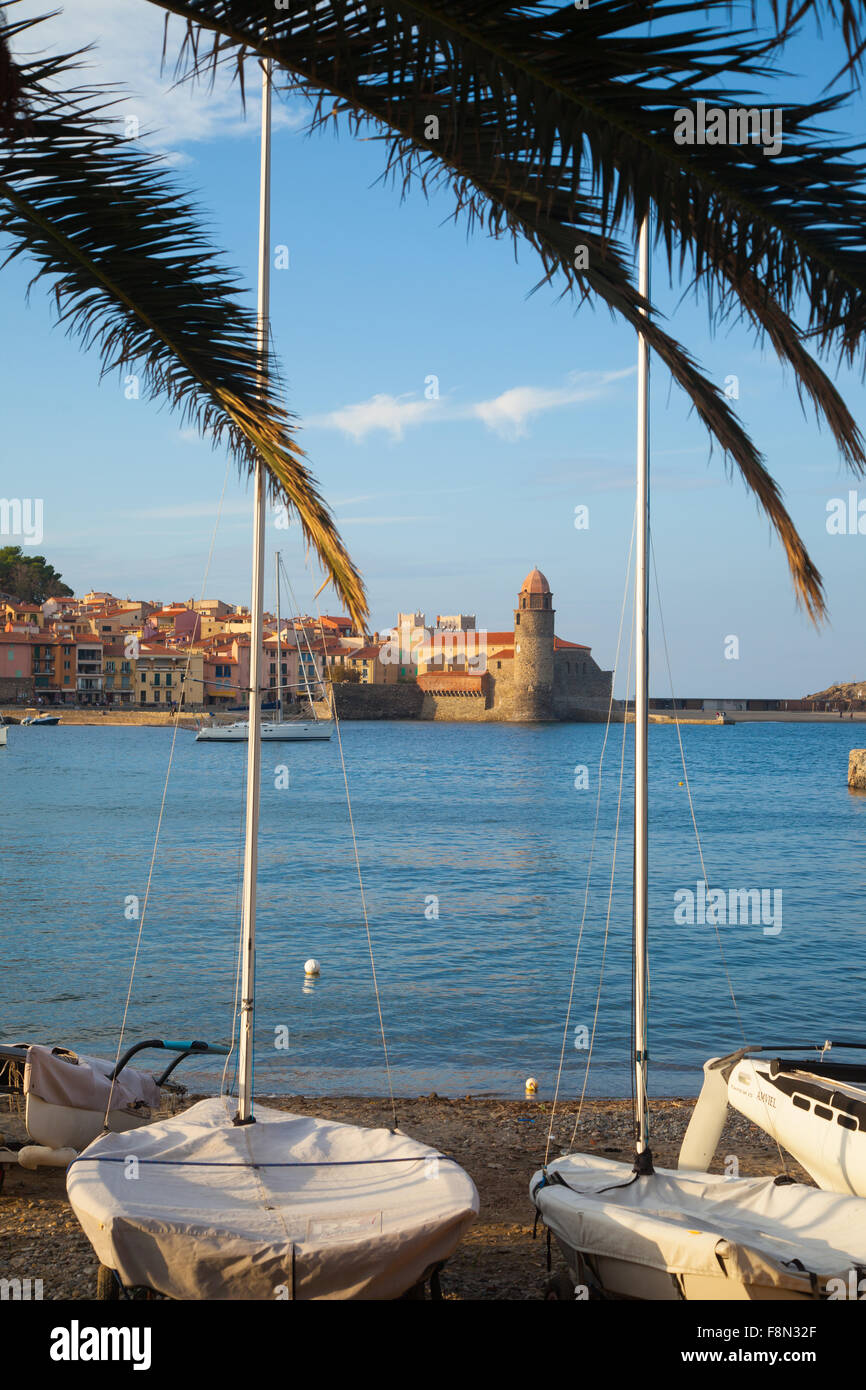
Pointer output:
x,y
136,277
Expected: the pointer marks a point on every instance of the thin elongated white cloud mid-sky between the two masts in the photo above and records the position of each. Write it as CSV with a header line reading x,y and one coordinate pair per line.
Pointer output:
x,y
507,415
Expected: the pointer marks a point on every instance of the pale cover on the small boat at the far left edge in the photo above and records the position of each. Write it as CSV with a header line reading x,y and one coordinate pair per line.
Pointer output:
x,y
83,1082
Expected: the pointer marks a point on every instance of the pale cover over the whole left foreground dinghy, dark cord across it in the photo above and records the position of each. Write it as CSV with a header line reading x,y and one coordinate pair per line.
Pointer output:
x,y
290,1207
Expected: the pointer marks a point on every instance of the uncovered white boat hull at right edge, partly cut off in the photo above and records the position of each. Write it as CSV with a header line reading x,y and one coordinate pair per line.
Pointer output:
x,y
814,1107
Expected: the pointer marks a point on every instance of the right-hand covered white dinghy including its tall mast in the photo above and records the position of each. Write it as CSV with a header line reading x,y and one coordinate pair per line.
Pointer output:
x,y
655,1234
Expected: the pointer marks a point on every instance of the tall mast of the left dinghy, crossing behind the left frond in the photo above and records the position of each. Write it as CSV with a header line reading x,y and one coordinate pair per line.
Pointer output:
x,y
254,744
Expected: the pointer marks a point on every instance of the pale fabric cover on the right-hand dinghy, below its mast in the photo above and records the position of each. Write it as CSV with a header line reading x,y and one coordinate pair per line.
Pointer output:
x,y
701,1224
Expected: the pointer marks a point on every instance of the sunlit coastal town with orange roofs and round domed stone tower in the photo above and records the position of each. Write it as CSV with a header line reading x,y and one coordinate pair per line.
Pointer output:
x,y
123,654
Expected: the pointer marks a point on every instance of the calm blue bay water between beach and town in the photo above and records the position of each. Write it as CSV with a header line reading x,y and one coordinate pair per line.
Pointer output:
x,y
487,821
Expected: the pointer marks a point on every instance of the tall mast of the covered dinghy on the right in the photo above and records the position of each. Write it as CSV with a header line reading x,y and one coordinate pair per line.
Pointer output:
x,y
642,719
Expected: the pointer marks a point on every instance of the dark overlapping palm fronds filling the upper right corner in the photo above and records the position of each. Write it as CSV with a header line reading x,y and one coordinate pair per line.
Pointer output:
x,y
557,126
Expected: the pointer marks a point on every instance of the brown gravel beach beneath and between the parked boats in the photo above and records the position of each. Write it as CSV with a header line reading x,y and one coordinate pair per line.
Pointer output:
x,y
500,1143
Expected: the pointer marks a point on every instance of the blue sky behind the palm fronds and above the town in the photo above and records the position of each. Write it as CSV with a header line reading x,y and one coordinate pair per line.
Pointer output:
x,y
446,504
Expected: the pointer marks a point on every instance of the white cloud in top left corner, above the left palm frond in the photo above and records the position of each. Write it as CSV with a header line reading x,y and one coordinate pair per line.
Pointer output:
x,y
127,40
